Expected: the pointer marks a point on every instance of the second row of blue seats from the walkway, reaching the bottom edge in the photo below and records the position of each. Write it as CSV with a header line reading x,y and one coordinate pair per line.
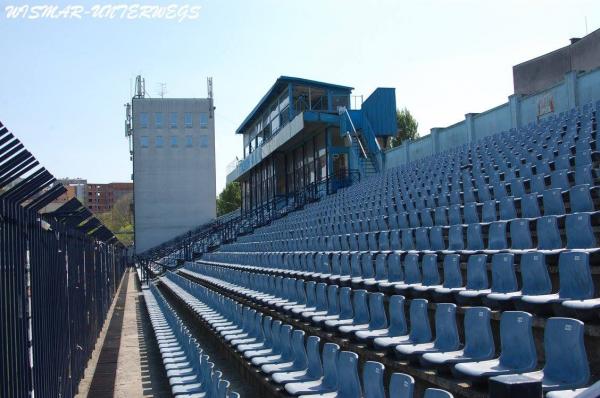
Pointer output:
x,y
286,355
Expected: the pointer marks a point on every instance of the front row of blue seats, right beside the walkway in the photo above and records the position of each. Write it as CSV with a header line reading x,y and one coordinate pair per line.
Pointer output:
x,y
190,373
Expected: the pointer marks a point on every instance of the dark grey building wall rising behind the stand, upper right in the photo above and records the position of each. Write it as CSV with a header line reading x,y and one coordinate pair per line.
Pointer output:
x,y
548,70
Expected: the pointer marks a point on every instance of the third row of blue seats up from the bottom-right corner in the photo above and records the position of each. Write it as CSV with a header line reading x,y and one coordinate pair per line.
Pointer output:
x,y
548,233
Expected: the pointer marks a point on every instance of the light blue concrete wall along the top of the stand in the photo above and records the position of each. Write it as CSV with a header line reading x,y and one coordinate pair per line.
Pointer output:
x,y
574,90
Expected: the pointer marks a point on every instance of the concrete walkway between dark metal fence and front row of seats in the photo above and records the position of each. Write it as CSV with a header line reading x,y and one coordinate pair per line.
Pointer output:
x,y
126,362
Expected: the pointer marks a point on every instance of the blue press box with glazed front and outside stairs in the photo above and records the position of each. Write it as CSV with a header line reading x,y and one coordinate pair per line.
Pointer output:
x,y
303,138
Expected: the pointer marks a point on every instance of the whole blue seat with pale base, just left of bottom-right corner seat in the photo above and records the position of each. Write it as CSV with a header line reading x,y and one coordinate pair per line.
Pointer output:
x,y
518,353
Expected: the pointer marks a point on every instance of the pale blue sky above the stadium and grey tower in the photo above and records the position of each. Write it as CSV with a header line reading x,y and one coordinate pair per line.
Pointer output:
x,y
63,83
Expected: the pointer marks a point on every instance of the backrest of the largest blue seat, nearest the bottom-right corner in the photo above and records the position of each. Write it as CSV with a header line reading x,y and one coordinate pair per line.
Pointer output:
x,y
566,358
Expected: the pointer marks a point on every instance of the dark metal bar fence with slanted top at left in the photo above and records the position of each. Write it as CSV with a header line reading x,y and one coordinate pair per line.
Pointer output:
x,y
58,275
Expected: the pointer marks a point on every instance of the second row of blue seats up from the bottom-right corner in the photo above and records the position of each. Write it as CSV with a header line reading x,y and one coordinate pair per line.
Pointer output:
x,y
576,295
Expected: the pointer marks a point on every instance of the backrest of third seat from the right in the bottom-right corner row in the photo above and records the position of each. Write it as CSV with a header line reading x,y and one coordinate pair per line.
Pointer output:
x,y
479,340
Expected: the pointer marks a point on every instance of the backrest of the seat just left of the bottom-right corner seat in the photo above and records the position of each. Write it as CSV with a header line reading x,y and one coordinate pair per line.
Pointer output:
x,y
516,340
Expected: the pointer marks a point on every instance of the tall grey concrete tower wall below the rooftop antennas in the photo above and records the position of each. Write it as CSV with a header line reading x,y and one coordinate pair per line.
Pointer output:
x,y
174,186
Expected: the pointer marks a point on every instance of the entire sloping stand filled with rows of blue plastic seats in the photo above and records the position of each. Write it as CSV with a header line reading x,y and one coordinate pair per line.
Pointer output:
x,y
455,275
